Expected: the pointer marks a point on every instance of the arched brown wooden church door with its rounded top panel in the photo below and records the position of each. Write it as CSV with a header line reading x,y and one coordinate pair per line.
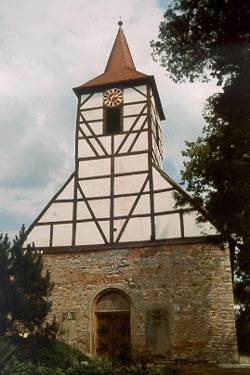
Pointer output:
x,y
113,326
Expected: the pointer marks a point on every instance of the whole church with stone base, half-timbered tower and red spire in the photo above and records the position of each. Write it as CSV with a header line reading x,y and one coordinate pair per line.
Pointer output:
x,y
135,276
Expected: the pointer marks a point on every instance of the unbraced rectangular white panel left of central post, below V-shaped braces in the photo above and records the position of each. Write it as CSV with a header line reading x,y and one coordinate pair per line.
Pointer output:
x,y
96,167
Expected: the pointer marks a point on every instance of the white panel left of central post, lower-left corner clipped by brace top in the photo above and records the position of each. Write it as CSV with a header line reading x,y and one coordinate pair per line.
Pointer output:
x,y
95,188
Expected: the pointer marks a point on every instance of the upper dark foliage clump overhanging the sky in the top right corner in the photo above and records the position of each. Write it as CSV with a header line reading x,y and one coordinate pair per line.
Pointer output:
x,y
204,37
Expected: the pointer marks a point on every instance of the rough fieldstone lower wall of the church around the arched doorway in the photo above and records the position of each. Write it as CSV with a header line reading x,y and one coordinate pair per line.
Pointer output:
x,y
182,302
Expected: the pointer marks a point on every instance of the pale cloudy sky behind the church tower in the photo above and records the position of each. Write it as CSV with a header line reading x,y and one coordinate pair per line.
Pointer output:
x,y
47,48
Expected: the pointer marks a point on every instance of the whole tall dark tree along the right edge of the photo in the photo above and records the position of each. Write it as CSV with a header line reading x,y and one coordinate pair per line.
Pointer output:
x,y
211,38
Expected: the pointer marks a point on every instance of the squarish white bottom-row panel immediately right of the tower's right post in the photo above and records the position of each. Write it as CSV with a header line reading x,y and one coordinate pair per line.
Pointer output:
x,y
167,226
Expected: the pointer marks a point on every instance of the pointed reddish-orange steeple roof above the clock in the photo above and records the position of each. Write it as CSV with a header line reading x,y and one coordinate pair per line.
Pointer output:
x,y
120,66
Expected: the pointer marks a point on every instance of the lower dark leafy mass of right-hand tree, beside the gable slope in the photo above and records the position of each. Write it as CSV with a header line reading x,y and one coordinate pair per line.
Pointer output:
x,y
217,169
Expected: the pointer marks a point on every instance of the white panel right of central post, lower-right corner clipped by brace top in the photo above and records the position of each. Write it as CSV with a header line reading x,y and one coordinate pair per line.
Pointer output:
x,y
130,184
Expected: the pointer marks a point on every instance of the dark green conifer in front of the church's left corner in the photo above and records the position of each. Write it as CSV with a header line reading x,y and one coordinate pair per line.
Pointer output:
x,y
24,288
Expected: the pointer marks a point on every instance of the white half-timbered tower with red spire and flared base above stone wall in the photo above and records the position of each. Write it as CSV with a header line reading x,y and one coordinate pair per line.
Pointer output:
x,y
119,193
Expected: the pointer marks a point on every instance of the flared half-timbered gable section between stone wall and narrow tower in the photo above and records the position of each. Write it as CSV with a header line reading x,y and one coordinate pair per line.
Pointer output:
x,y
86,220
